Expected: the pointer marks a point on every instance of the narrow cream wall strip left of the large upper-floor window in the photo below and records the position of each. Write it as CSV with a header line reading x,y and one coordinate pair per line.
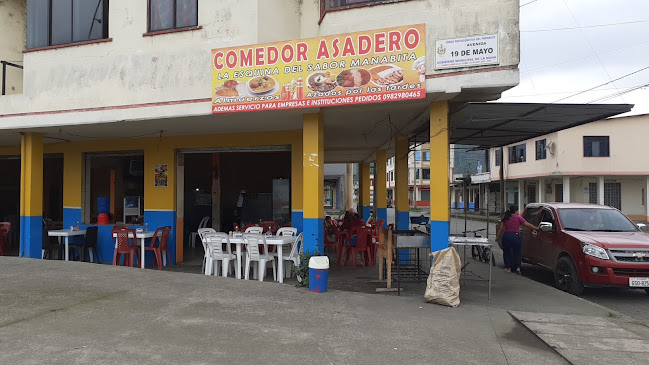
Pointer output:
x,y
12,42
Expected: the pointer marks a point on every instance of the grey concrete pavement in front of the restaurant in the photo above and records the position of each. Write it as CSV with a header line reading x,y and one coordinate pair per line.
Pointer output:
x,y
58,312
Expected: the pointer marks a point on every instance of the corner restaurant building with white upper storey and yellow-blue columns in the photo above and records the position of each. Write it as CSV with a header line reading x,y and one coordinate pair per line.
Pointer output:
x,y
145,112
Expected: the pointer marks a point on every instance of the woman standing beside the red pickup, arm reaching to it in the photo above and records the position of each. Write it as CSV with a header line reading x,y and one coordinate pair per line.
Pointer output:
x,y
509,232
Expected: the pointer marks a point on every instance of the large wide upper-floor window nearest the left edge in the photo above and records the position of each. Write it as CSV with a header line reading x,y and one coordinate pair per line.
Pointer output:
x,y
56,22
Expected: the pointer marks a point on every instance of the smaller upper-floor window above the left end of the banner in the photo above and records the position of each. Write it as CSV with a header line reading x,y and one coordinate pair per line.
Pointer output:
x,y
172,14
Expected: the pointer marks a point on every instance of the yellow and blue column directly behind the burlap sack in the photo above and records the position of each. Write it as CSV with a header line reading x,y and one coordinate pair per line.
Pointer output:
x,y
439,175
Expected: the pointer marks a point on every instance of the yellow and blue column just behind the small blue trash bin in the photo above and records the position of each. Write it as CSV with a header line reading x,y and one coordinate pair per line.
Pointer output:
x,y
313,182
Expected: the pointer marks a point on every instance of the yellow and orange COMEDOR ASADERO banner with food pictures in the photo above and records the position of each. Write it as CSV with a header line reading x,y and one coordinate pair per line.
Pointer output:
x,y
356,68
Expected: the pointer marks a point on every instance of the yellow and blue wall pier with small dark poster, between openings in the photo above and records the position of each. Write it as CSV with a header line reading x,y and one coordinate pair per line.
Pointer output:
x,y
160,193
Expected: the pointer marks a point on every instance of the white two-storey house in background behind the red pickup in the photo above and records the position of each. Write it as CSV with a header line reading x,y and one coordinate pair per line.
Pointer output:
x,y
600,162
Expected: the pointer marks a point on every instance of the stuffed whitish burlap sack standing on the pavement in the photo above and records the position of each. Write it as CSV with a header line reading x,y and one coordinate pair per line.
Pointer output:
x,y
443,285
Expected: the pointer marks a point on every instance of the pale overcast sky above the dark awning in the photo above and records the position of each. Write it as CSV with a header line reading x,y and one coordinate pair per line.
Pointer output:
x,y
557,64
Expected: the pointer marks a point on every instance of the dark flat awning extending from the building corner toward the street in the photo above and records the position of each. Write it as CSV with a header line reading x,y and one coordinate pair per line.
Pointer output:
x,y
497,124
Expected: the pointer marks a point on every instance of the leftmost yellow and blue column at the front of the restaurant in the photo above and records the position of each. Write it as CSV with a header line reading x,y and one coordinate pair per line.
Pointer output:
x,y
31,195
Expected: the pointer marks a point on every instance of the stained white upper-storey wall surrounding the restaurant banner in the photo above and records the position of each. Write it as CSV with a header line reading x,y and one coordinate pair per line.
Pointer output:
x,y
133,69
